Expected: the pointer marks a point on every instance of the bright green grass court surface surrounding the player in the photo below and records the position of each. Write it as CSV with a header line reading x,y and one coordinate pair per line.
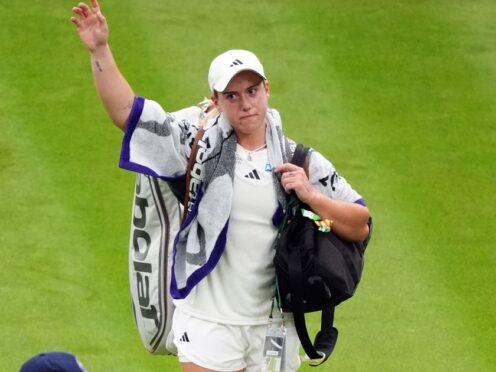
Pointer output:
x,y
401,95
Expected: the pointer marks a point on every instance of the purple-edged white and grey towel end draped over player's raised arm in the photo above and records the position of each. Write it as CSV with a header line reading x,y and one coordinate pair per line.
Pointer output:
x,y
158,143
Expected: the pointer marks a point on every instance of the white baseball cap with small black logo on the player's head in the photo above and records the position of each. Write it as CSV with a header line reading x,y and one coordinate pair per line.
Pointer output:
x,y
226,65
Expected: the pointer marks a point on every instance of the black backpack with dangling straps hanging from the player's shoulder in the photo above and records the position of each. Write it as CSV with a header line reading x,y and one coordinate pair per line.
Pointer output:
x,y
315,271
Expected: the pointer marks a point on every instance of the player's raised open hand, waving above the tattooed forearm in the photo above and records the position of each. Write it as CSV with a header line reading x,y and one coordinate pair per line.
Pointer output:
x,y
91,25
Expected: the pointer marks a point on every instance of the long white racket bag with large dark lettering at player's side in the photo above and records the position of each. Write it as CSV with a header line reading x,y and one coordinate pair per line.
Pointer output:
x,y
155,222
